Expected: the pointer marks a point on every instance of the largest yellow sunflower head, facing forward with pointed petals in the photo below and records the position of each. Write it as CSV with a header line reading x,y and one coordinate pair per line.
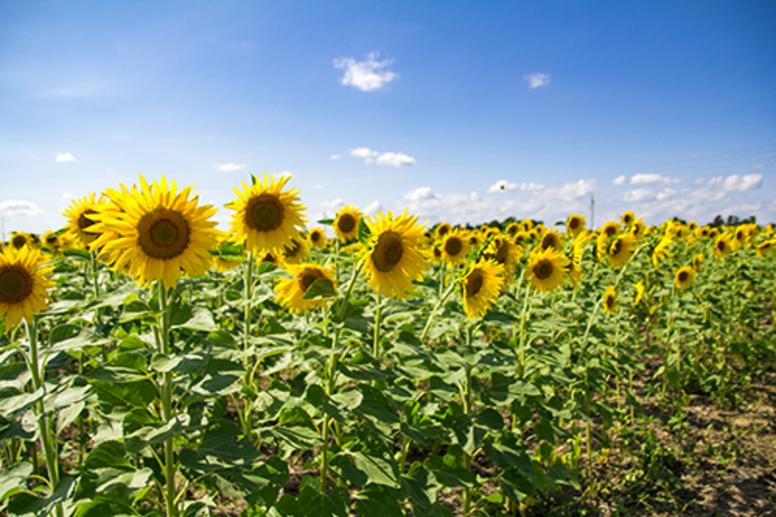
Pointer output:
x,y
158,232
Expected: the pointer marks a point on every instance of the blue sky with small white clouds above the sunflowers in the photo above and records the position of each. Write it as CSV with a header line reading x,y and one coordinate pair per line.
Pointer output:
x,y
464,111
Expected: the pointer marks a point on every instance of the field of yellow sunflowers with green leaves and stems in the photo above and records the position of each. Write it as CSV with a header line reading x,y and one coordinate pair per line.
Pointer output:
x,y
153,364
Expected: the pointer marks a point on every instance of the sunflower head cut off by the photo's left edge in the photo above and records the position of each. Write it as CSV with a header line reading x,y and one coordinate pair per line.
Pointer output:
x,y
23,283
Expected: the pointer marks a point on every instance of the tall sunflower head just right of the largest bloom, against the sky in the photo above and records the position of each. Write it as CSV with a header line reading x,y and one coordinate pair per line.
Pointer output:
x,y
266,217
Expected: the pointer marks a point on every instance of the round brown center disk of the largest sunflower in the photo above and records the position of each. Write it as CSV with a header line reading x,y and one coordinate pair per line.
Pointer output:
x,y
163,234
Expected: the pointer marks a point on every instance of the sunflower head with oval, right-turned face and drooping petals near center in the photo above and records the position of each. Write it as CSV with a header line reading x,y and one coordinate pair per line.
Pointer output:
x,y
394,255
